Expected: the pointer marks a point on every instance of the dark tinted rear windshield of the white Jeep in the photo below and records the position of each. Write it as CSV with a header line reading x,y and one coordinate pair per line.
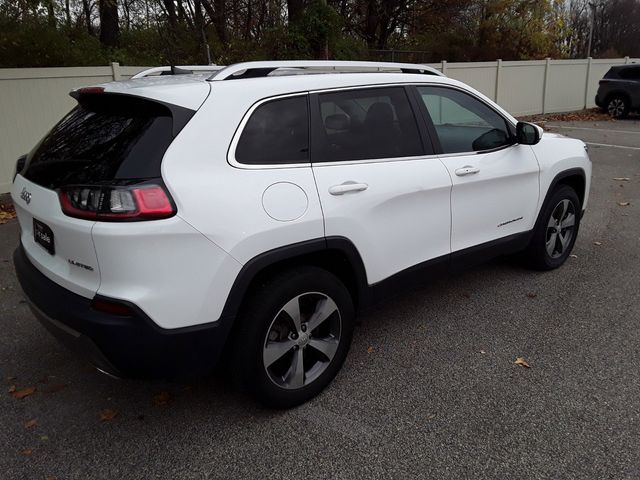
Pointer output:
x,y
105,139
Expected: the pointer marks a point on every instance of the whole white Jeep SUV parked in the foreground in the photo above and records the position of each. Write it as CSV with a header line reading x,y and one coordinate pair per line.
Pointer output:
x,y
254,209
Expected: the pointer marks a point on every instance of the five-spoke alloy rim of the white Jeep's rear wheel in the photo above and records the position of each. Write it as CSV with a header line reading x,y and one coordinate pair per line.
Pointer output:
x,y
302,340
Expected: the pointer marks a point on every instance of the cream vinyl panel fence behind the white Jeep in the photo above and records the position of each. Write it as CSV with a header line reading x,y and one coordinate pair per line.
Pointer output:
x,y
32,100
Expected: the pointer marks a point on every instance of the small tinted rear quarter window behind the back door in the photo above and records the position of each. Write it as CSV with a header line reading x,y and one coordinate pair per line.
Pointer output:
x,y
277,132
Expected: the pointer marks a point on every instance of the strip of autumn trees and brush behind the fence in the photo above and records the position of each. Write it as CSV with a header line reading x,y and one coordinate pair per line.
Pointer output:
x,y
40,33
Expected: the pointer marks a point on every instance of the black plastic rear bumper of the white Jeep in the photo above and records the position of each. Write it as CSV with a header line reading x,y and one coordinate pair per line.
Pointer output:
x,y
131,346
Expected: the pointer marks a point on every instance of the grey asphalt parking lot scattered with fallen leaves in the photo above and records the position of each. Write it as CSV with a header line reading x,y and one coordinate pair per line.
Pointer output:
x,y
429,390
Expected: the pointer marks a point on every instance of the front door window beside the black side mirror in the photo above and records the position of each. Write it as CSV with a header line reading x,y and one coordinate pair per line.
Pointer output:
x,y
462,122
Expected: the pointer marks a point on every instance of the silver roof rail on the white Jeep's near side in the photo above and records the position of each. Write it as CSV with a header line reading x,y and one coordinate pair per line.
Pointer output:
x,y
262,69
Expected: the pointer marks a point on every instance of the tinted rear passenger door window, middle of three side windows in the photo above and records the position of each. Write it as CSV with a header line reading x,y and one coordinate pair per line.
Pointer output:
x,y
366,124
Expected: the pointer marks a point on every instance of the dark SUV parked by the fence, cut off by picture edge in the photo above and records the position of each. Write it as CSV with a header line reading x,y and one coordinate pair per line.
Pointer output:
x,y
619,90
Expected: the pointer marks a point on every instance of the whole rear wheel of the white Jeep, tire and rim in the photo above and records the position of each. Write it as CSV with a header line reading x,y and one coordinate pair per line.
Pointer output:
x,y
277,359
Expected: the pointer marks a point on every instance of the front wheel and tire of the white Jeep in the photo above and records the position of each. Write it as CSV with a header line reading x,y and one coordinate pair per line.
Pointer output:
x,y
550,248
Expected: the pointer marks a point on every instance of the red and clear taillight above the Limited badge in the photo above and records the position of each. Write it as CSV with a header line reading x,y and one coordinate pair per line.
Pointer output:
x,y
117,203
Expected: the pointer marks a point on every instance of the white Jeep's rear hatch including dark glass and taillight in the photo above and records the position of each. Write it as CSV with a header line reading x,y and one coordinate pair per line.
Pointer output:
x,y
91,167
